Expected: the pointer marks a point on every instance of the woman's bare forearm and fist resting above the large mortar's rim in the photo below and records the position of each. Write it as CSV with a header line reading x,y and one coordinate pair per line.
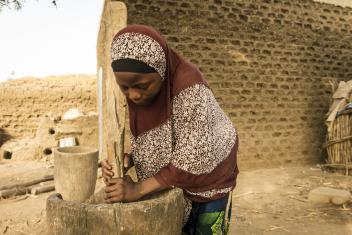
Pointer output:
x,y
126,190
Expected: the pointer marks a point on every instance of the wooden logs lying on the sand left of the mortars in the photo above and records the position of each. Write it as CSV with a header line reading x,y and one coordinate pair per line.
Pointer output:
x,y
34,187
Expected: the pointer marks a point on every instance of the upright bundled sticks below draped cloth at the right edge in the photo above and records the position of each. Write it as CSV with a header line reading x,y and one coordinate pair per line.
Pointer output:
x,y
339,143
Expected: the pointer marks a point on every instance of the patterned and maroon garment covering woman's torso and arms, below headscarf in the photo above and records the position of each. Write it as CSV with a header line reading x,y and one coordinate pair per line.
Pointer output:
x,y
194,150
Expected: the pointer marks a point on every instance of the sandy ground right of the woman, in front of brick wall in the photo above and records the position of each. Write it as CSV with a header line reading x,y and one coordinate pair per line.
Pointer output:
x,y
274,201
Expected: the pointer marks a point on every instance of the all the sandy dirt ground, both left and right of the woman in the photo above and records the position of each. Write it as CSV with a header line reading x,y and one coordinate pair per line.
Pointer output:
x,y
267,201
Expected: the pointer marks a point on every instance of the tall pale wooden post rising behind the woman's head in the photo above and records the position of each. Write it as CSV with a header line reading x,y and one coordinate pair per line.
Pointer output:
x,y
113,18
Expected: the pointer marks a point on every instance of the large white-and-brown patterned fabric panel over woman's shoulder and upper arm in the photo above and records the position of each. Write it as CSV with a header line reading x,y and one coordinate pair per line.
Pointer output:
x,y
204,136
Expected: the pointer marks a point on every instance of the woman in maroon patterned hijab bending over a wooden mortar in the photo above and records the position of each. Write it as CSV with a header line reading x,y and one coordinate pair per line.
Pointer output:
x,y
180,136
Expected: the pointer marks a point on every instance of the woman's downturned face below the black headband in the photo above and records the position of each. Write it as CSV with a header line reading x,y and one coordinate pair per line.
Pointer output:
x,y
140,88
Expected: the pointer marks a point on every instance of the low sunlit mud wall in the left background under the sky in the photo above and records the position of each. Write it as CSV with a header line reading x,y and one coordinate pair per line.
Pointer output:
x,y
24,101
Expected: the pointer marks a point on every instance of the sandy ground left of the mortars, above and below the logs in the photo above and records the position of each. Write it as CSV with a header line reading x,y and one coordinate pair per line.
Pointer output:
x,y
23,214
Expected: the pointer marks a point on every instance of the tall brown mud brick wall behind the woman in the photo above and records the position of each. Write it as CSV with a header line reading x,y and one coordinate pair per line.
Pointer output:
x,y
267,62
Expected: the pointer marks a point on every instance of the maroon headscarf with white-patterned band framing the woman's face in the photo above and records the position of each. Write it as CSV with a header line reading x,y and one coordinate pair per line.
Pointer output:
x,y
144,44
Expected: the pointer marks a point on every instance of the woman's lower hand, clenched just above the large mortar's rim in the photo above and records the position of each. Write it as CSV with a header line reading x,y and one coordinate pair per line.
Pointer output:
x,y
122,190
